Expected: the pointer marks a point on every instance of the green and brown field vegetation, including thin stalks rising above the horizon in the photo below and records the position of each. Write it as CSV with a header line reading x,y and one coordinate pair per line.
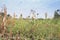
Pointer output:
x,y
30,29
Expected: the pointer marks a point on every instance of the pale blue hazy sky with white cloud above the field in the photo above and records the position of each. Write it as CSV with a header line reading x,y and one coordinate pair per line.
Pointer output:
x,y
25,6
